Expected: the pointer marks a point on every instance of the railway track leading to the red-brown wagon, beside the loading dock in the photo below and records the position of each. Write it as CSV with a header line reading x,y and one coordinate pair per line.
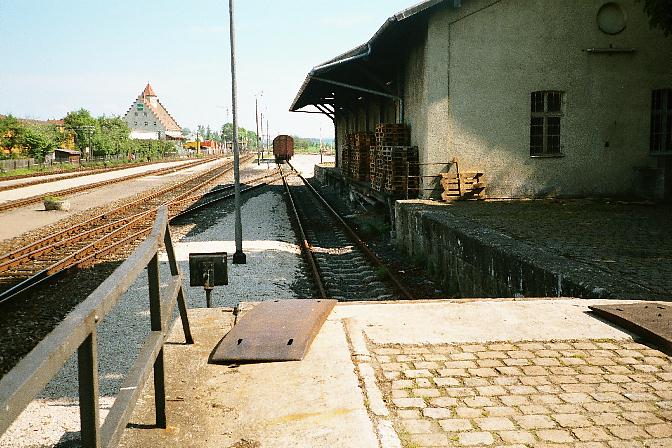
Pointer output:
x,y
342,266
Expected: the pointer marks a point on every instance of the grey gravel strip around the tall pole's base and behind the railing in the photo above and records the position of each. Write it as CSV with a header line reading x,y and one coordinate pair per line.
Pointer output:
x,y
274,270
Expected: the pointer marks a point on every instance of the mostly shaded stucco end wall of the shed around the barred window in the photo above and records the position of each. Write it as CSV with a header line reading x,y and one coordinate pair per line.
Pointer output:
x,y
482,62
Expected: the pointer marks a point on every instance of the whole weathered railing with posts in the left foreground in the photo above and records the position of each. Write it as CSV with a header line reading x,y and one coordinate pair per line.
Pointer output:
x,y
77,332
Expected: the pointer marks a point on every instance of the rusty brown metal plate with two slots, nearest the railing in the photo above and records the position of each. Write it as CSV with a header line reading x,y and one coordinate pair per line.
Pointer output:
x,y
281,330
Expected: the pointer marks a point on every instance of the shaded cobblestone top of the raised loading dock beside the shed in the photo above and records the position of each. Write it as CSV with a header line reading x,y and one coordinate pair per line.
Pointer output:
x,y
631,241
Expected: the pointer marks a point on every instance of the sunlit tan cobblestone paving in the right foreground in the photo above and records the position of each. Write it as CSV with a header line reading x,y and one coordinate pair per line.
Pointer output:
x,y
592,394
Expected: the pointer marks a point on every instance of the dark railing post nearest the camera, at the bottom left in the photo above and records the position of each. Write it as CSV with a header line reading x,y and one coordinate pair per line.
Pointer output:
x,y
87,367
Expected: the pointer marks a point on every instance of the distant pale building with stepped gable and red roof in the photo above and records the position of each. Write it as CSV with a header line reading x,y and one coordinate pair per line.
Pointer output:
x,y
148,119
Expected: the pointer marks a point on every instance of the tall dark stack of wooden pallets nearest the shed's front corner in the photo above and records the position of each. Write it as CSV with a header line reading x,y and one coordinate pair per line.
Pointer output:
x,y
393,161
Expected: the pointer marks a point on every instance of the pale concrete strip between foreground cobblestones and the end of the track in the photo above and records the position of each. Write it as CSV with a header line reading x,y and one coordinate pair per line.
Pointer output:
x,y
442,322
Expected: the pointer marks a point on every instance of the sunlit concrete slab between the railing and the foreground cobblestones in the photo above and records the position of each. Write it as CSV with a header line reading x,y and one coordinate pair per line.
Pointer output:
x,y
312,403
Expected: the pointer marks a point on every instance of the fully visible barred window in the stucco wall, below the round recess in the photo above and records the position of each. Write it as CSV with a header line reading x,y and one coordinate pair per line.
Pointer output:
x,y
545,118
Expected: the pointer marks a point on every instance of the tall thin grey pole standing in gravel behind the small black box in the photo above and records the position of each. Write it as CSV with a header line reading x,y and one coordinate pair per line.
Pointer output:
x,y
239,256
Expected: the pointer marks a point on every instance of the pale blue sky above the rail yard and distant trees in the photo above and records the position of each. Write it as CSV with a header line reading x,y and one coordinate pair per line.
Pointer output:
x,y
59,56
